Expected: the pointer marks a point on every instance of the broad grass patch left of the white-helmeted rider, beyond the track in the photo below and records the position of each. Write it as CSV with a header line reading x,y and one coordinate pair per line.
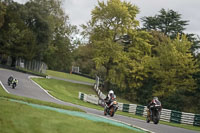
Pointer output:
x,y
67,91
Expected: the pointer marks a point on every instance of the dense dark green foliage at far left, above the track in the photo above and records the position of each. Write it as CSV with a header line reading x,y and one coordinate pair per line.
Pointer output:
x,y
36,30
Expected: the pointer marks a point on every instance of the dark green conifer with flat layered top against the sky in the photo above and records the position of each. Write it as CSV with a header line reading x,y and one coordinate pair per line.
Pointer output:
x,y
169,22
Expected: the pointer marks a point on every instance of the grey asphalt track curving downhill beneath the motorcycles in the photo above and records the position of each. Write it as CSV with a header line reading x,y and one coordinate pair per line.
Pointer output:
x,y
28,88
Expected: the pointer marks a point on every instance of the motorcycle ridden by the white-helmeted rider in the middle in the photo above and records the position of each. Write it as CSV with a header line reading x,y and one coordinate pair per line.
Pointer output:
x,y
112,108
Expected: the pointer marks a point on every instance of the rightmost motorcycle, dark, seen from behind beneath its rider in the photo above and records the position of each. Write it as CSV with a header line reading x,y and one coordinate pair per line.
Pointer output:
x,y
155,117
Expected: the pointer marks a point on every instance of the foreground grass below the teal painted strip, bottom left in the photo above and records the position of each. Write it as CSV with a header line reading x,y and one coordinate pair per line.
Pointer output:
x,y
16,117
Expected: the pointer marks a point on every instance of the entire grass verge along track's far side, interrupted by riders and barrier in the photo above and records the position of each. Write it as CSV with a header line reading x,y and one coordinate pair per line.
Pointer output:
x,y
67,91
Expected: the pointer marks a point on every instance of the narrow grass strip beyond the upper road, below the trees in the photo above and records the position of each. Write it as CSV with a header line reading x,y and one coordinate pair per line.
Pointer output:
x,y
69,76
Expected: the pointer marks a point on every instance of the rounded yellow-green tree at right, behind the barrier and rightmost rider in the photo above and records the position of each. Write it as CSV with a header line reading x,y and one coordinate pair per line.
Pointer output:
x,y
173,71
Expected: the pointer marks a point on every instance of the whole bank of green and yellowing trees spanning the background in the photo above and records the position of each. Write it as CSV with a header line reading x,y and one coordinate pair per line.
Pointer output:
x,y
137,61
